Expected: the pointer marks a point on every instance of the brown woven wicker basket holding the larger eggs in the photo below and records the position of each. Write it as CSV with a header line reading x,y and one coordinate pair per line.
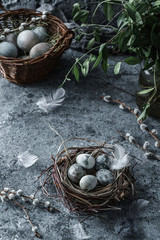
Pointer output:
x,y
37,69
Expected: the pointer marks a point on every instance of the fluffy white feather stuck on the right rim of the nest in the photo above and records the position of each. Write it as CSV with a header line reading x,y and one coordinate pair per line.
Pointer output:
x,y
119,159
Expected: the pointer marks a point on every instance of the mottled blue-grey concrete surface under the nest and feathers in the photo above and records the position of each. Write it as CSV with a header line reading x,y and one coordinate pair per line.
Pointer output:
x,y
24,127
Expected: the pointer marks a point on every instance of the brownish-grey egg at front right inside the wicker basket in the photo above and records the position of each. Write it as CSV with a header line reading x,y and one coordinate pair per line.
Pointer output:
x,y
39,49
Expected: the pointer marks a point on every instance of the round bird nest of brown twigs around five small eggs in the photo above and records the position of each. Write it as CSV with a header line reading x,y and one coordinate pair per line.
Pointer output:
x,y
78,200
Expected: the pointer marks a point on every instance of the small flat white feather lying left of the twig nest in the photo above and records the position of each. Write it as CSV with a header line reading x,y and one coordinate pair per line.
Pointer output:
x,y
26,159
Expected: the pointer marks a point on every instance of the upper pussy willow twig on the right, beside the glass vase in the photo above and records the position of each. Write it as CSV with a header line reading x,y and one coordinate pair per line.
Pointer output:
x,y
136,115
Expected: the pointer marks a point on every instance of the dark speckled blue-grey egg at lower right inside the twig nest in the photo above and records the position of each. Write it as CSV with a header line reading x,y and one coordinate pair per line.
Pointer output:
x,y
104,176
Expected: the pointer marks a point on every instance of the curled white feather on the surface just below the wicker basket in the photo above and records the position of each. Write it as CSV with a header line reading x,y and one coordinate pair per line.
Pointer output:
x,y
50,102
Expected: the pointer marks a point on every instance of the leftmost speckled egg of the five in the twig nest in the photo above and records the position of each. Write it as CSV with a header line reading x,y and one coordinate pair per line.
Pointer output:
x,y
75,172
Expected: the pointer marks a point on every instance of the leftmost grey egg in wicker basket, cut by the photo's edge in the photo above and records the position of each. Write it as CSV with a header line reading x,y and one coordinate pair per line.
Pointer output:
x,y
8,49
